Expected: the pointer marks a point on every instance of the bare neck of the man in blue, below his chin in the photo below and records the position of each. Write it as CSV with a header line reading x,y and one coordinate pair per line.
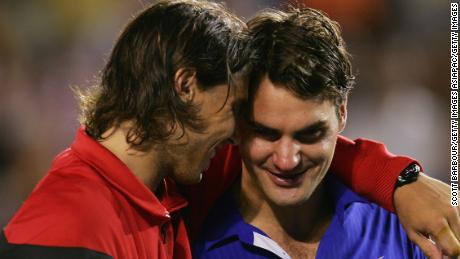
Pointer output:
x,y
305,223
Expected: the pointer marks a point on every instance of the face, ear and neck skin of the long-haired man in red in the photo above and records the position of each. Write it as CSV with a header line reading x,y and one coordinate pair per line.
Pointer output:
x,y
186,154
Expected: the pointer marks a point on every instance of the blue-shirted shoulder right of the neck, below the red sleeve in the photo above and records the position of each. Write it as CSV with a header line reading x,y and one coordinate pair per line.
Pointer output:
x,y
362,229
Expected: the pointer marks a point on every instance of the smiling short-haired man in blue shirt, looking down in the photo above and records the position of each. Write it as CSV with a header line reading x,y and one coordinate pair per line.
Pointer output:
x,y
285,206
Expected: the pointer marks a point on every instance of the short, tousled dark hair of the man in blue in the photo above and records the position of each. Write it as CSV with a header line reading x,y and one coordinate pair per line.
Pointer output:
x,y
301,50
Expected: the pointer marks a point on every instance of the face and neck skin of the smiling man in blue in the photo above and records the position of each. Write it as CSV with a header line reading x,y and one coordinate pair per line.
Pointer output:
x,y
287,148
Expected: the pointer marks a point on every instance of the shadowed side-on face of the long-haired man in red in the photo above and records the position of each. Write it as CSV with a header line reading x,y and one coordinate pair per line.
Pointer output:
x,y
192,155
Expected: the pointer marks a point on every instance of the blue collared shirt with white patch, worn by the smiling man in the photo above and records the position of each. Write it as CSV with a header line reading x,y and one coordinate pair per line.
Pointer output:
x,y
358,229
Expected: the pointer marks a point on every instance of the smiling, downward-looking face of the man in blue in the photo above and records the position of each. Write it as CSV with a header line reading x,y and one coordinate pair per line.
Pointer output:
x,y
288,143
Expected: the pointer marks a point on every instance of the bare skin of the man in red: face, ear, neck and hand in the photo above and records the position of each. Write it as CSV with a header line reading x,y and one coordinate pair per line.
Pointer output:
x,y
153,165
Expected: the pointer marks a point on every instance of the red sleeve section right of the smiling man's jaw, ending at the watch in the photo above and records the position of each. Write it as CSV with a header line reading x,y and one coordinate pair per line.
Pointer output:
x,y
369,169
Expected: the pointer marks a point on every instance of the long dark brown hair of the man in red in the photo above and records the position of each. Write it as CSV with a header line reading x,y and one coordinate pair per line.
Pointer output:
x,y
137,83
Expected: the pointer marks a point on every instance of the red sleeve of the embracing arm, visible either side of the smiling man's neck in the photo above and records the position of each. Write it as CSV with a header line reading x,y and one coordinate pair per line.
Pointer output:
x,y
364,165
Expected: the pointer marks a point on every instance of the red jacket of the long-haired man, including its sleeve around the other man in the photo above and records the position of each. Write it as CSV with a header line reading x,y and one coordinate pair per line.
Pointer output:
x,y
90,202
